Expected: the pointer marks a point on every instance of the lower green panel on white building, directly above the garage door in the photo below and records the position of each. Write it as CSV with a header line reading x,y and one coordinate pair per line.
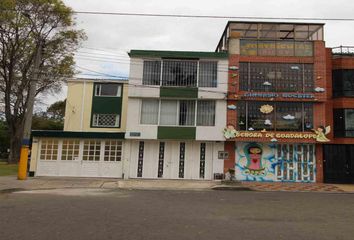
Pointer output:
x,y
176,132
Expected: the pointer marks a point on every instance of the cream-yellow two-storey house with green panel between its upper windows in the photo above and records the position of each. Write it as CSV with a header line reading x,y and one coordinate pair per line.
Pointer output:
x,y
92,142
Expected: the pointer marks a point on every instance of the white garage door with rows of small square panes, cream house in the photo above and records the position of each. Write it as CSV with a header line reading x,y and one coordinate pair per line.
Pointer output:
x,y
80,158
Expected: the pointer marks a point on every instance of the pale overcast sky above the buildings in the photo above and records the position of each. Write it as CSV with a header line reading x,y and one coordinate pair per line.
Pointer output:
x,y
111,37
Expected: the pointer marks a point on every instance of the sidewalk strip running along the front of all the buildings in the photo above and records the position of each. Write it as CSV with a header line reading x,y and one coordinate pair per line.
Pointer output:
x,y
10,183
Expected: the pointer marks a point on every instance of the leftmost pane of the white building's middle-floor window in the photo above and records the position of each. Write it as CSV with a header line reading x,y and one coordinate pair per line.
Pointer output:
x,y
149,111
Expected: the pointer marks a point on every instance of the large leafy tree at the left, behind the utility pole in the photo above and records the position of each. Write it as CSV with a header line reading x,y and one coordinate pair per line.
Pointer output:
x,y
25,27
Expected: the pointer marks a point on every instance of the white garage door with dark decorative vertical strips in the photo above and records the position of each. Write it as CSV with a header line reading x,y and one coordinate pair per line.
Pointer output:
x,y
171,160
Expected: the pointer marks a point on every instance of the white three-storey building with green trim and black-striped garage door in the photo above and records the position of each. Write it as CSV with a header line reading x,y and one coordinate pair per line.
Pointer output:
x,y
176,113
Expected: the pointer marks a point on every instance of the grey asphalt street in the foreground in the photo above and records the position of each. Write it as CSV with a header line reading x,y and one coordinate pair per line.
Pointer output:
x,y
123,214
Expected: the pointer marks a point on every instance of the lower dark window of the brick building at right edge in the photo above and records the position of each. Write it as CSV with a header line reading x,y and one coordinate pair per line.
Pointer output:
x,y
343,122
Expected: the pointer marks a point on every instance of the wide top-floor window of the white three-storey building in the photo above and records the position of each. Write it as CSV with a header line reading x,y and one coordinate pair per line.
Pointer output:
x,y
180,73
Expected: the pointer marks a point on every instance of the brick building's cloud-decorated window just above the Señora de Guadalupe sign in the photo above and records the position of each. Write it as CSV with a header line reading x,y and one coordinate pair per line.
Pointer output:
x,y
285,116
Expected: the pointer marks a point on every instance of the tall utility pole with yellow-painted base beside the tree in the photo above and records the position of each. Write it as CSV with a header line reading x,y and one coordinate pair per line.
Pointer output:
x,y
22,168
